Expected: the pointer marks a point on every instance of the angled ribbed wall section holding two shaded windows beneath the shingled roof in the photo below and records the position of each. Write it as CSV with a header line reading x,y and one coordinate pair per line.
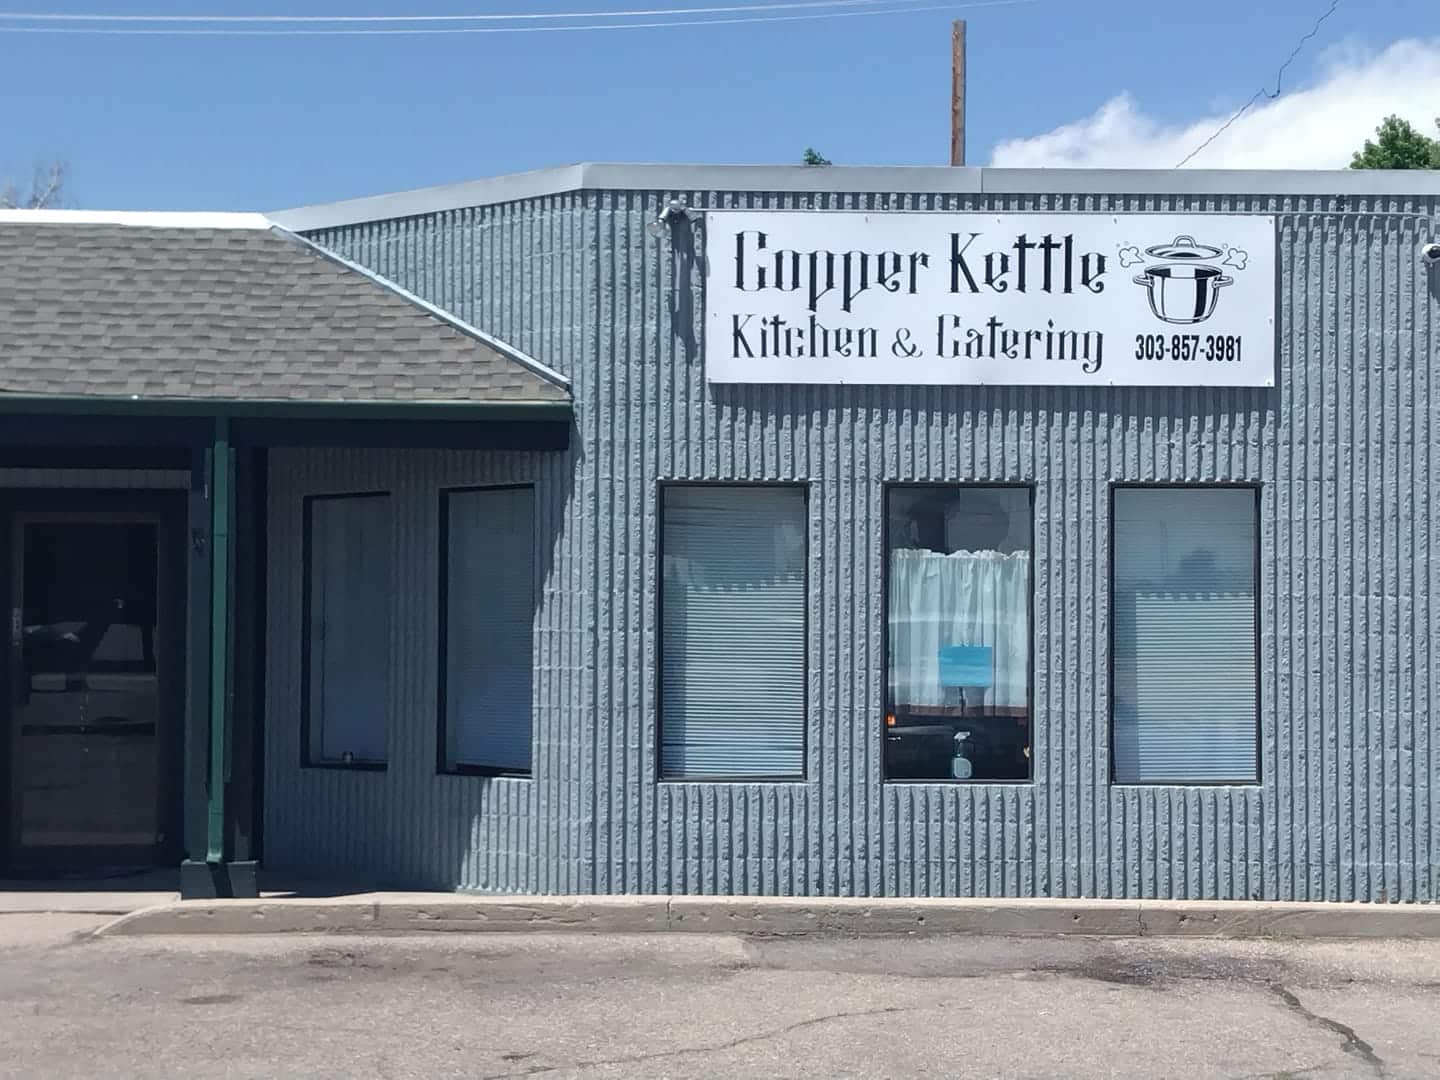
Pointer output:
x,y
407,824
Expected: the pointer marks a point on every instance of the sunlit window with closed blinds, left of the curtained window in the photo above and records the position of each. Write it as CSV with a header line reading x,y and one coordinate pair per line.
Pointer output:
x,y
732,695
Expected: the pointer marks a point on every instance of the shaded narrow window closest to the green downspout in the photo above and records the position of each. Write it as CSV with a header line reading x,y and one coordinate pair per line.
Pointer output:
x,y
346,656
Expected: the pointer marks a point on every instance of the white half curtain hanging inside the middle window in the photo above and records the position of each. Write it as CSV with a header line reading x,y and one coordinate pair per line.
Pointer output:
x,y
964,598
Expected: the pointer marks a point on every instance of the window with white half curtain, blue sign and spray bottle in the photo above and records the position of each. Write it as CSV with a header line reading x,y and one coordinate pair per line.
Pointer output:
x,y
958,630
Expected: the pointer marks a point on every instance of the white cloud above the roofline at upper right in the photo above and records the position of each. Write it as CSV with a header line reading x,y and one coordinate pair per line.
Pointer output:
x,y
1317,127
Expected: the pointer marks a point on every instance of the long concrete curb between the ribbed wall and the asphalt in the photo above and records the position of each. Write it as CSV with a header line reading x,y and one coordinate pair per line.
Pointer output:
x,y
777,917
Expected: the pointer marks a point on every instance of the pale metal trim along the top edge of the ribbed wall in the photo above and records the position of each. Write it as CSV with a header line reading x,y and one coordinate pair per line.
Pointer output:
x,y
862,181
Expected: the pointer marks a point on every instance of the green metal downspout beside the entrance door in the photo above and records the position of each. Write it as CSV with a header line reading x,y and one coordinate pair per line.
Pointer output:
x,y
221,519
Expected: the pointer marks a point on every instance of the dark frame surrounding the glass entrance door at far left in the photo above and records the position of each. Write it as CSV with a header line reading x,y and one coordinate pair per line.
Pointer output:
x,y
169,510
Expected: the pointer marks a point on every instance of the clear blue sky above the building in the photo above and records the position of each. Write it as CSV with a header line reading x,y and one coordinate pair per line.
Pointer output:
x,y
247,123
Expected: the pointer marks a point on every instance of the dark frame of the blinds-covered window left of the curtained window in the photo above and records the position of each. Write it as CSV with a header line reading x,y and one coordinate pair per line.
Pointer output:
x,y
659,654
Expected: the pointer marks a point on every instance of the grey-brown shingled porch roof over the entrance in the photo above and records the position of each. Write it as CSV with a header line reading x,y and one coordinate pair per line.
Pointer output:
x,y
234,310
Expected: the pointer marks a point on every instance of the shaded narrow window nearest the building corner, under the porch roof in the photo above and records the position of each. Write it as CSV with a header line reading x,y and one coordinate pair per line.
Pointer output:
x,y
487,626
